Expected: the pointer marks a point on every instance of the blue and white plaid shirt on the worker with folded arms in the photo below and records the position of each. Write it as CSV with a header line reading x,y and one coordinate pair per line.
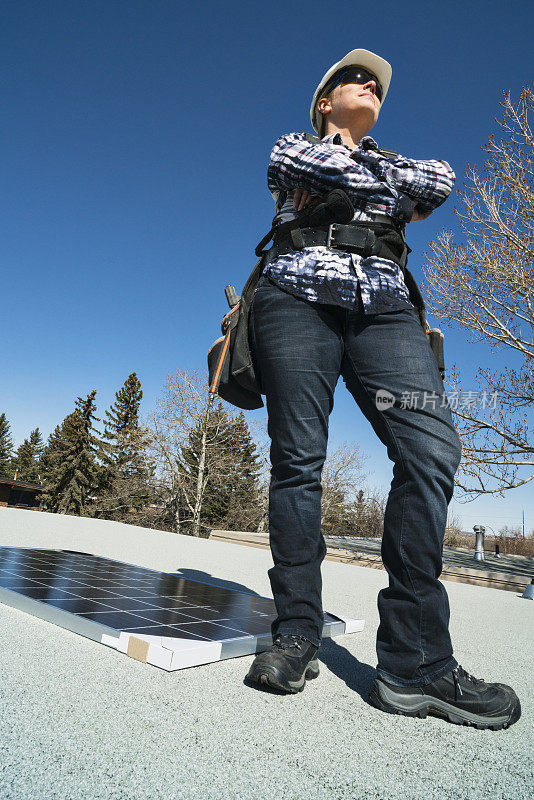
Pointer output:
x,y
376,186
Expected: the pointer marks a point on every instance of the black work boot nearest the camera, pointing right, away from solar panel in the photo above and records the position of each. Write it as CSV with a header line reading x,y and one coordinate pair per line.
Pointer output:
x,y
457,696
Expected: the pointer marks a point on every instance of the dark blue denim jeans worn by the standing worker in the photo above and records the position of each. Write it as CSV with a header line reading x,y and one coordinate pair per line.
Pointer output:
x,y
299,349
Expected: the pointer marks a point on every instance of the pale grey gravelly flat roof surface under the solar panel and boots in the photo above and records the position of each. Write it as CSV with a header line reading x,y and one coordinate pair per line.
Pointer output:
x,y
79,720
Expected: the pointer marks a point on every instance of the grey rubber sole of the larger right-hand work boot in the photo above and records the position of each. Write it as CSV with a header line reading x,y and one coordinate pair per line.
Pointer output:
x,y
420,706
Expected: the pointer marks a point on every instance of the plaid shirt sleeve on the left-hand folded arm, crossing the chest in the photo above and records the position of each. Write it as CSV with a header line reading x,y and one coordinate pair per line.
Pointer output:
x,y
318,168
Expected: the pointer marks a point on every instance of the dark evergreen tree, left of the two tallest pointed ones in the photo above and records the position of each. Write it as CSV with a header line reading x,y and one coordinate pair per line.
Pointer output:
x,y
69,461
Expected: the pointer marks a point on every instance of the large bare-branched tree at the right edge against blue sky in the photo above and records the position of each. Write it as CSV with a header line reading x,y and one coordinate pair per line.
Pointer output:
x,y
487,286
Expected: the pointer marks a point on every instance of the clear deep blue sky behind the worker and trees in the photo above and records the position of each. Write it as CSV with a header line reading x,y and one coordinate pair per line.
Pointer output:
x,y
135,138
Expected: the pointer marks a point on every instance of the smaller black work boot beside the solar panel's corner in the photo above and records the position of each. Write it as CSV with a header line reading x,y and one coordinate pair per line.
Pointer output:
x,y
286,665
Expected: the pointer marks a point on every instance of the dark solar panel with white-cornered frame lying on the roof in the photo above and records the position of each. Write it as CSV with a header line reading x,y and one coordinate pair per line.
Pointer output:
x,y
160,618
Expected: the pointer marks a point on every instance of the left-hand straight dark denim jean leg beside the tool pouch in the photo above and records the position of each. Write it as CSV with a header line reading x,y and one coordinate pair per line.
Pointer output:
x,y
297,347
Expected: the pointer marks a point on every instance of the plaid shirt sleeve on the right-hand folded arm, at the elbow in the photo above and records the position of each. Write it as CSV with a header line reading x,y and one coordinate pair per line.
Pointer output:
x,y
429,183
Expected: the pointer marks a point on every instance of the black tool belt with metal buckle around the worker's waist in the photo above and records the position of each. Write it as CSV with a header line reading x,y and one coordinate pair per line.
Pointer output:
x,y
364,238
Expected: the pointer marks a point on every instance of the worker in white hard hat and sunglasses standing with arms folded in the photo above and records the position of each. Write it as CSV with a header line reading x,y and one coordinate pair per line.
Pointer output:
x,y
320,311
